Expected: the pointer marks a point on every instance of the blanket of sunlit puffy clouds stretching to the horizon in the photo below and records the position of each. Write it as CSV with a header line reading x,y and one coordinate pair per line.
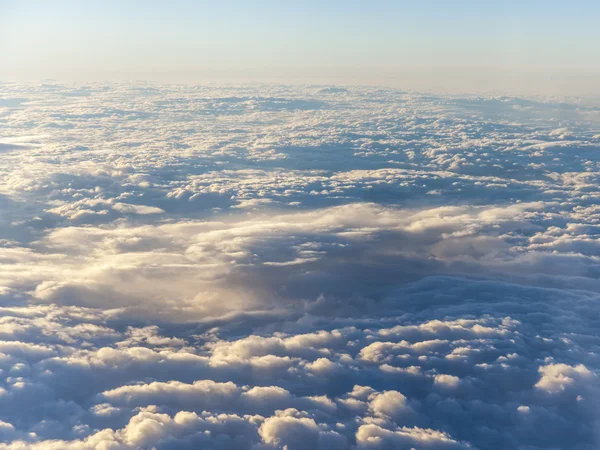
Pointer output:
x,y
274,267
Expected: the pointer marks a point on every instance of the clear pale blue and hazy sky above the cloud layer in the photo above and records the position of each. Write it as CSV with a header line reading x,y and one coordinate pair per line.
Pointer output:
x,y
466,45
